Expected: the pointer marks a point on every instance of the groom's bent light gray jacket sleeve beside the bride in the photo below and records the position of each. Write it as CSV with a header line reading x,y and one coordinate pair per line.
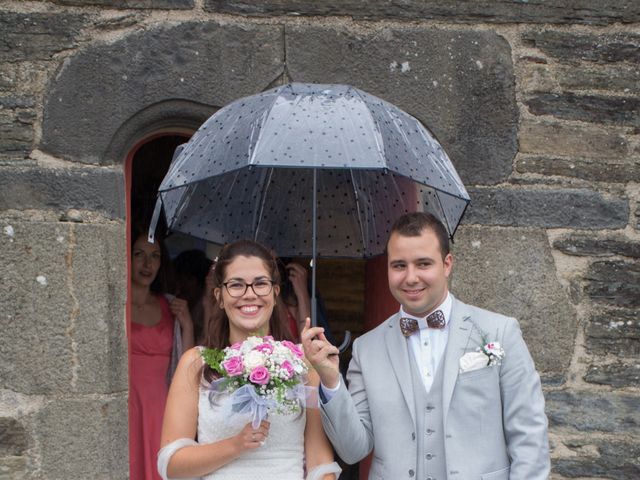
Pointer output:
x,y
346,418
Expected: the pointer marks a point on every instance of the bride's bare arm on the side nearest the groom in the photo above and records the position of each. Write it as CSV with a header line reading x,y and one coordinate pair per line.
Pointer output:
x,y
317,448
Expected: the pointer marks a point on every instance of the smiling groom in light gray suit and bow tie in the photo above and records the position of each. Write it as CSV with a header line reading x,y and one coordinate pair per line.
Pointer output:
x,y
429,405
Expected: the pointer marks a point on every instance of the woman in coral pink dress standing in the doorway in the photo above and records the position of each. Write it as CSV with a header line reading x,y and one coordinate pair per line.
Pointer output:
x,y
154,338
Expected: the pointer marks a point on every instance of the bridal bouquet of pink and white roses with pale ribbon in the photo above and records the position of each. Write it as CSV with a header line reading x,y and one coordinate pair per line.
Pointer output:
x,y
261,374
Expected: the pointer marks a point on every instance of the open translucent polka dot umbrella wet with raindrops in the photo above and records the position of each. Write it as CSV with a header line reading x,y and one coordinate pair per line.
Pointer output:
x,y
309,170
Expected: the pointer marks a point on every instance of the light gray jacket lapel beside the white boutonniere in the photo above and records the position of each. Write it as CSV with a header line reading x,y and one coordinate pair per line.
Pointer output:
x,y
459,331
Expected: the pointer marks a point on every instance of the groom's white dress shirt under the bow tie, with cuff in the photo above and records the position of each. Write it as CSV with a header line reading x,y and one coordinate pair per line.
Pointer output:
x,y
427,346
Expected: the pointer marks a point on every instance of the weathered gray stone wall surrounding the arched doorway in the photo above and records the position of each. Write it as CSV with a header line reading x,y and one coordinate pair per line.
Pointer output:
x,y
536,102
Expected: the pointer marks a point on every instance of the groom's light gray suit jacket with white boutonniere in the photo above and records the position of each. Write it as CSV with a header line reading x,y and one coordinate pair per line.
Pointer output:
x,y
493,418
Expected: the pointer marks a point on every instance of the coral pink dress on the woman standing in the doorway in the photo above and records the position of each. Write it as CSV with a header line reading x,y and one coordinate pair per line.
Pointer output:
x,y
150,357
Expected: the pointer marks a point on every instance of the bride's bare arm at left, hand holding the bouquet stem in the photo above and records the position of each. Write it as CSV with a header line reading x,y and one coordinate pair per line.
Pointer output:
x,y
181,422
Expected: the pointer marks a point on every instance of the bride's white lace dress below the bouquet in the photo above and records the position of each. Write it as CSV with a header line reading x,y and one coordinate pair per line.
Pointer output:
x,y
280,458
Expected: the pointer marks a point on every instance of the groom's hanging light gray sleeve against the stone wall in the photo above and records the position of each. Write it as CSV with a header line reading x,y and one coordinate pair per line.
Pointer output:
x,y
524,419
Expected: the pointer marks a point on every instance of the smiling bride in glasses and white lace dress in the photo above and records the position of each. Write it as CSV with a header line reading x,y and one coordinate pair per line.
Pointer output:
x,y
227,446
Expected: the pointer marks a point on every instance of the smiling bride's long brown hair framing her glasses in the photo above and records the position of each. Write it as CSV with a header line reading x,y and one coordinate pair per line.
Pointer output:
x,y
218,324
